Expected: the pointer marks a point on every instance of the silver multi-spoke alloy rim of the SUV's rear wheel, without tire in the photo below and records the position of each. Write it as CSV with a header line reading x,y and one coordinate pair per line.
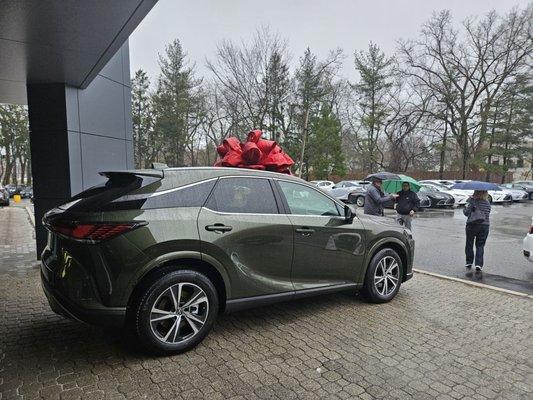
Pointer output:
x,y
179,313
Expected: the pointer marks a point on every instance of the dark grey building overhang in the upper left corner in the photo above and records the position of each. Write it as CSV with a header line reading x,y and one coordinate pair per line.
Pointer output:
x,y
50,41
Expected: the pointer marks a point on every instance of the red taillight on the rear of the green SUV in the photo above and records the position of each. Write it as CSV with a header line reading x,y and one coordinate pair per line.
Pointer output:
x,y
92,232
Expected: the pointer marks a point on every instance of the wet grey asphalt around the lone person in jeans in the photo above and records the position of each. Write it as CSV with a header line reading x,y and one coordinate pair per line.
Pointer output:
x,y
440,241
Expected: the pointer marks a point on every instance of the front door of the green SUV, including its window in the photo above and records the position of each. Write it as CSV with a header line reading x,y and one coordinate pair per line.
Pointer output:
x,y
327,249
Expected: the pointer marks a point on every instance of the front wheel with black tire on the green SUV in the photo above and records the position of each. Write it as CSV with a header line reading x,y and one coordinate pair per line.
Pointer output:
x,y
374,290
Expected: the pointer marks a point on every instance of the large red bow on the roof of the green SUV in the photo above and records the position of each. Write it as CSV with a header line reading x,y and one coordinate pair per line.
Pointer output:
x,y
255,153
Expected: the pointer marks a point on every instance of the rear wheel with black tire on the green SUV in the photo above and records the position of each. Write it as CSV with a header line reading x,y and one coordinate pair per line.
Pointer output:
x,y
195,321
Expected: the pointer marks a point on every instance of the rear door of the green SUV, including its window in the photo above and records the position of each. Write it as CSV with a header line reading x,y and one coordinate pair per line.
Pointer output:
x,y
241,227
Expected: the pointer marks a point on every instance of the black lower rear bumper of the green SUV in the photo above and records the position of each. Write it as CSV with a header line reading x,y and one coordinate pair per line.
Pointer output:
x,y
61,305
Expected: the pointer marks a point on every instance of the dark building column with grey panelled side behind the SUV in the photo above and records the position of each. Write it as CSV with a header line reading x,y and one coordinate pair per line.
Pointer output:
x,y
76,133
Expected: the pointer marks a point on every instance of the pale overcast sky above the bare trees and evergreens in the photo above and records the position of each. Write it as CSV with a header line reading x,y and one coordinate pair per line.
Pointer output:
x,y
319,24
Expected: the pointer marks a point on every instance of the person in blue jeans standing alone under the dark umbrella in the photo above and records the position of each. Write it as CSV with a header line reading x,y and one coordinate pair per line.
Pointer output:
x,y
477,227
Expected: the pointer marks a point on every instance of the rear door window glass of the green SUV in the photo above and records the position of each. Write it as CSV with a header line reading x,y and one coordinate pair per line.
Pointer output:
x,y
243,196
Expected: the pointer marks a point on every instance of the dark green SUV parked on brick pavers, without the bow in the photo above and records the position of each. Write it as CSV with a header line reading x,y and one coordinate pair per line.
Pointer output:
x,y
163,252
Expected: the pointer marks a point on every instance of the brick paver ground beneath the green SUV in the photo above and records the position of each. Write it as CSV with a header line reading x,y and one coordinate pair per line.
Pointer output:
x,y
437,339
